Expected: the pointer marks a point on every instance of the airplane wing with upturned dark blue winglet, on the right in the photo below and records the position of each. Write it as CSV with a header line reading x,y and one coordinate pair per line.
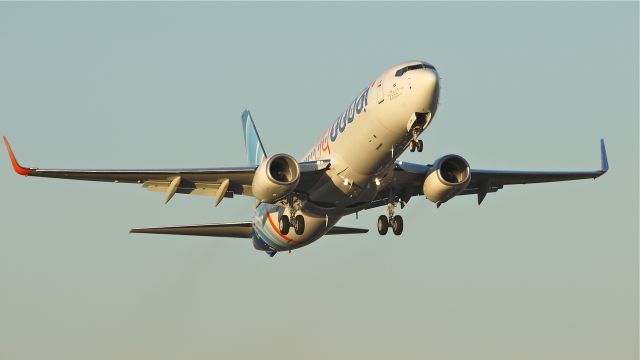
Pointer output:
x,y
409,178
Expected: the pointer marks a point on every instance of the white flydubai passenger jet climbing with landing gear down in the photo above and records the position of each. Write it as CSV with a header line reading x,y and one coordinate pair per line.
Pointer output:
x,y
353,167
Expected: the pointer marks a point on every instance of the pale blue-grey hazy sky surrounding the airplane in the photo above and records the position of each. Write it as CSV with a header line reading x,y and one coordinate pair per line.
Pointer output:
x,y
540,271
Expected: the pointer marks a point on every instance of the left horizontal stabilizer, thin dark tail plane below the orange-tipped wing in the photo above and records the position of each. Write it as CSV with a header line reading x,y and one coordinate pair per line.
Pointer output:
x,y
242,229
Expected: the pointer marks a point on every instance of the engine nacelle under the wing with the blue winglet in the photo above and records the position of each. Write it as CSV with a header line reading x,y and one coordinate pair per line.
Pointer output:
x,y
449,176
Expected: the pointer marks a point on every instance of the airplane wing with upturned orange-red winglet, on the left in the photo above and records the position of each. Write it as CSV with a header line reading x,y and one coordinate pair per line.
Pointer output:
x,y
216,182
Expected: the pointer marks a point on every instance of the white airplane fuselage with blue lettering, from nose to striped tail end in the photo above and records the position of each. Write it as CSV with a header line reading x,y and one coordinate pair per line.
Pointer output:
x,y
361,146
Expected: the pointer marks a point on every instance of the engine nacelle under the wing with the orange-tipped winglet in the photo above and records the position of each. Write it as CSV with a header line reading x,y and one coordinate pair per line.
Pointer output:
x,y
275,178
